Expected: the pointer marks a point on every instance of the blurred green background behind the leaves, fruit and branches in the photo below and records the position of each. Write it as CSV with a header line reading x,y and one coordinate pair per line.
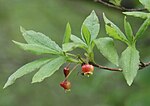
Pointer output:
x,y
104,88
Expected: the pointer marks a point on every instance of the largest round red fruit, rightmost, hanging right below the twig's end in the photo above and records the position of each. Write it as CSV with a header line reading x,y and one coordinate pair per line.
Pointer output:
x,y
87,69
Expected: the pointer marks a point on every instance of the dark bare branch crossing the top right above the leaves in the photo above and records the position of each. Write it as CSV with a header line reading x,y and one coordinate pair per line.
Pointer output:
x,y
119,7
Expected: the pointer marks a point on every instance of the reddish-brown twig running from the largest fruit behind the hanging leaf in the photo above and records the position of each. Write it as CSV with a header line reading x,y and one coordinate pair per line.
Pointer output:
x,y
141,66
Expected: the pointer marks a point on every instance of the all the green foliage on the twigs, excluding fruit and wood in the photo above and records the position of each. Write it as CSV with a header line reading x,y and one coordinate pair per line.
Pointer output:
x,y
39,43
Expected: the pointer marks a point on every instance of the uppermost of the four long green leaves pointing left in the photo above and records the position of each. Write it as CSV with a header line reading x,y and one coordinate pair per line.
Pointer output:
x,y
33,37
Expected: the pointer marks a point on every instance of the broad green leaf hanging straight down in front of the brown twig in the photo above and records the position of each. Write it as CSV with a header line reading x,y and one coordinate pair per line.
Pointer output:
x,y
129,62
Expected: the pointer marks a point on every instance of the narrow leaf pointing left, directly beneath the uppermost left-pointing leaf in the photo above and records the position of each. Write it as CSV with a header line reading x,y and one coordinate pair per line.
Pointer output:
x,y
37,49
